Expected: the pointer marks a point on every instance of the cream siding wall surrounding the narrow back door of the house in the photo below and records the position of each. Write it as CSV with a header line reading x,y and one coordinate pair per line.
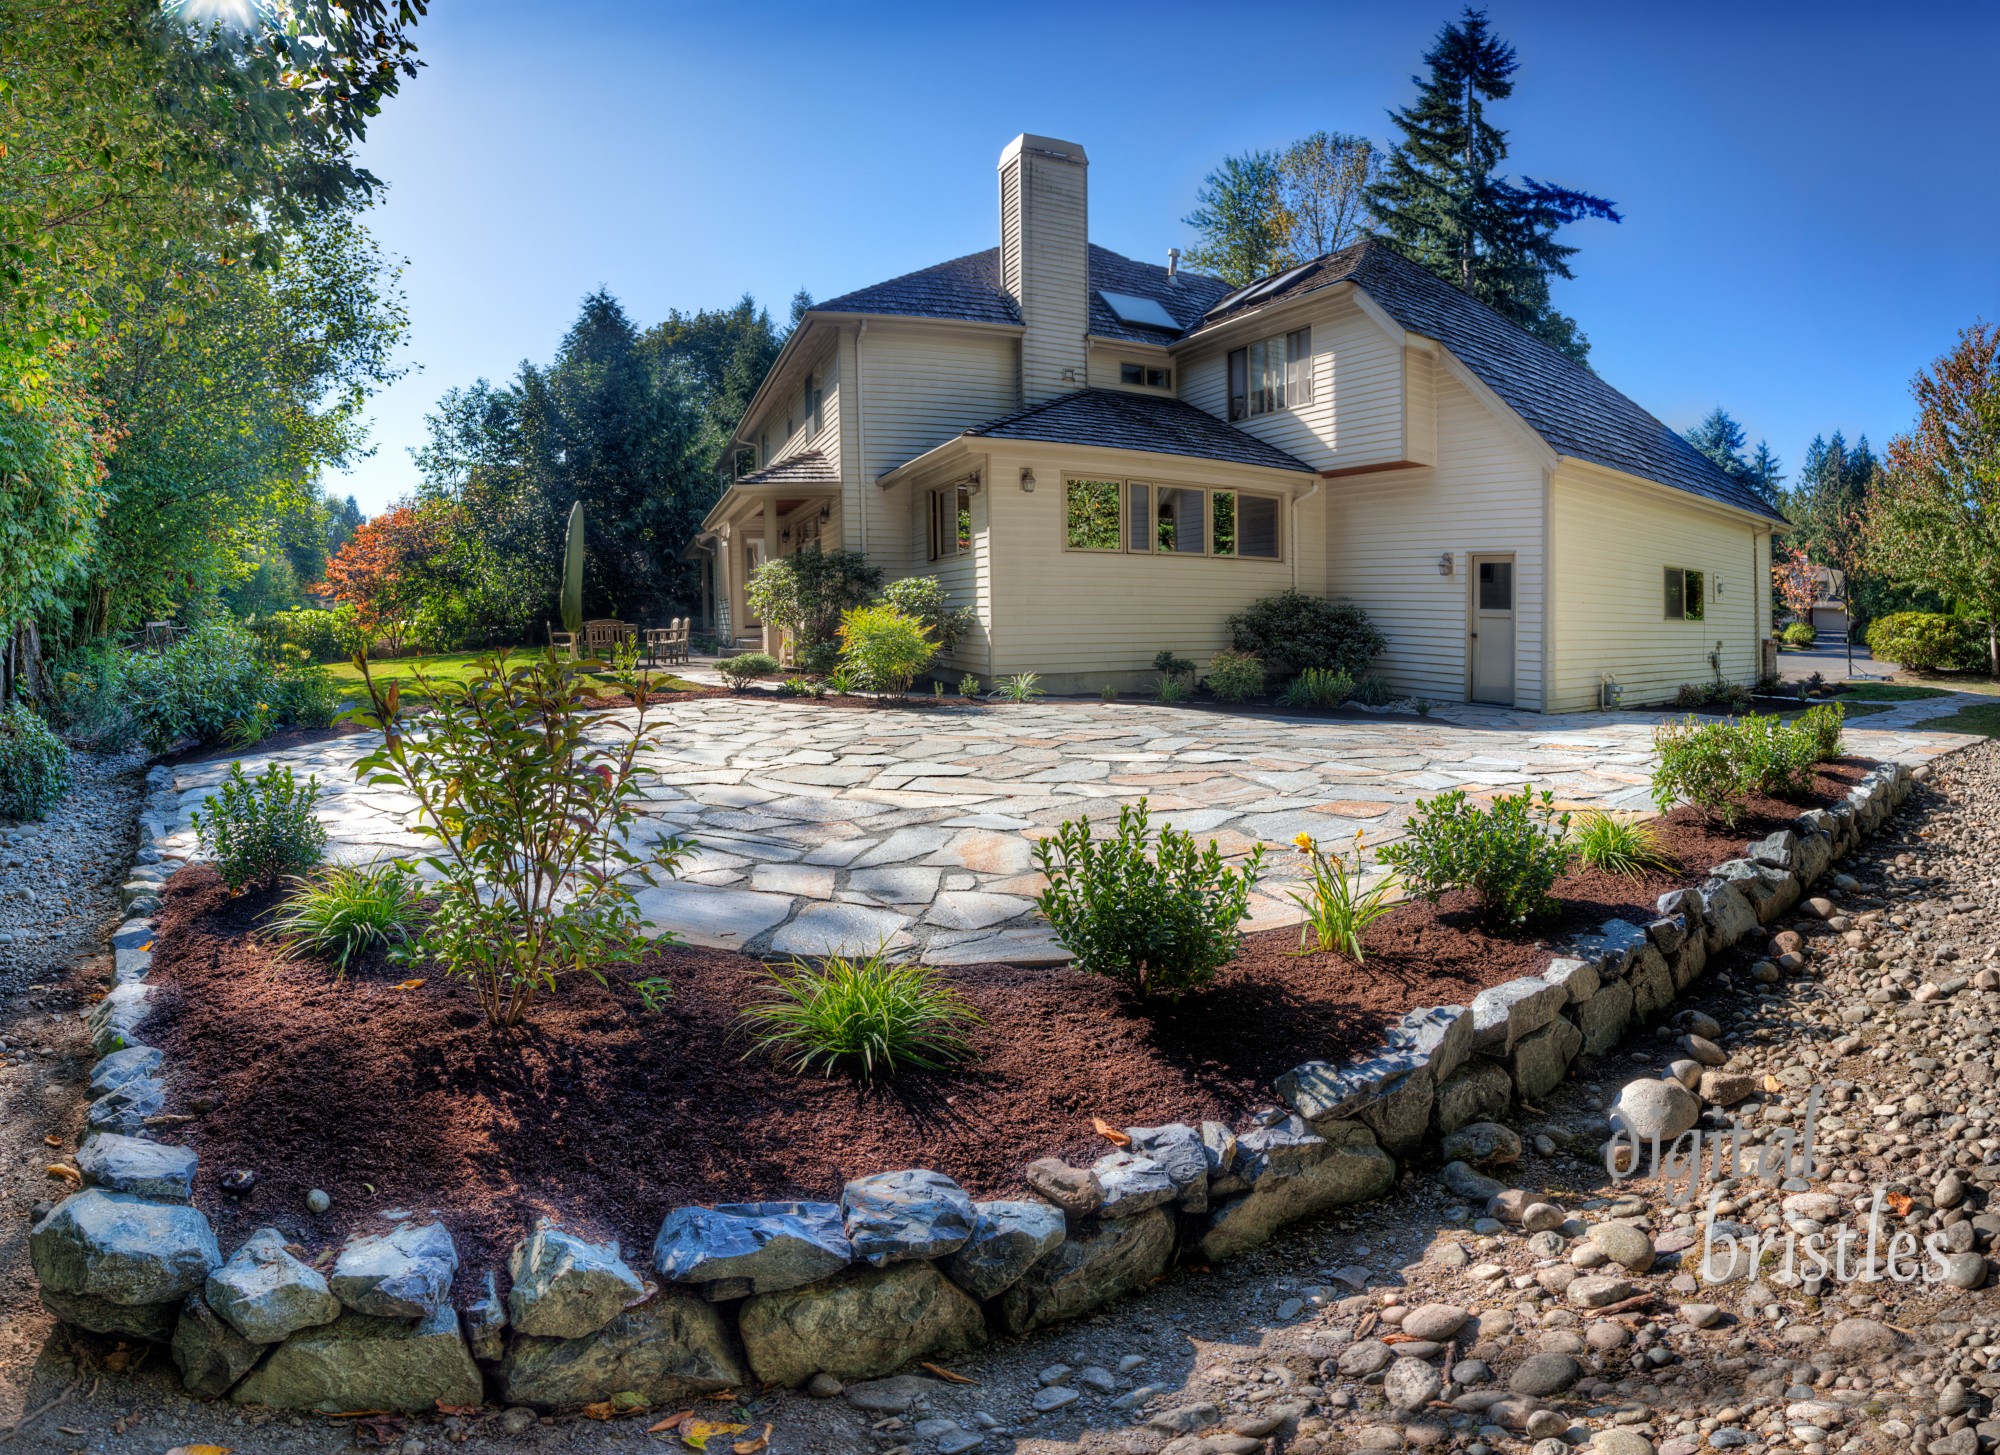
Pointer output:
x,y
1389,531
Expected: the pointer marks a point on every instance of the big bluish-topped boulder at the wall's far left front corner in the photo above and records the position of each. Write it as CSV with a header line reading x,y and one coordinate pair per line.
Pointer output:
x,y
123,1250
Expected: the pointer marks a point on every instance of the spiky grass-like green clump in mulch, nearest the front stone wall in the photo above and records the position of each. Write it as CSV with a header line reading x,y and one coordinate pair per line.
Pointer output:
x,y
863,1016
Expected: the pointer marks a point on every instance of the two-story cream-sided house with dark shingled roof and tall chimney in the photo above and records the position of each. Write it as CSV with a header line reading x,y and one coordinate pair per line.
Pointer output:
x,y
1107,459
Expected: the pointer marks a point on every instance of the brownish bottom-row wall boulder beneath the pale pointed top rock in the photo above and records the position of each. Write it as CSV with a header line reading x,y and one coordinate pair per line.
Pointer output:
x,y
671,1348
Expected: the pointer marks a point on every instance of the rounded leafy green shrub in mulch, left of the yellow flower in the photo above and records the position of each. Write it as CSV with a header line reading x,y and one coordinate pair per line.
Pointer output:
x,y
1157,916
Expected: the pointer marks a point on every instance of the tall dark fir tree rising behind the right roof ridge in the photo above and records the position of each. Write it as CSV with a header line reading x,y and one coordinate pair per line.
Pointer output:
x,y
1445,203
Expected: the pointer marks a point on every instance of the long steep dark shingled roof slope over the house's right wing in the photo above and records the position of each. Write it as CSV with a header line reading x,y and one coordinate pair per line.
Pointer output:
x,y
1575,411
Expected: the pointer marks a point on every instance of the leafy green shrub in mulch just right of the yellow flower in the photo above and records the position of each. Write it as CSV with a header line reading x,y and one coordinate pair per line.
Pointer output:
x,y
1509,854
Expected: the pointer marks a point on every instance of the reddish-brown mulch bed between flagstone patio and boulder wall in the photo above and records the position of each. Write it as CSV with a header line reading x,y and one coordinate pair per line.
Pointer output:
x,y
607,1116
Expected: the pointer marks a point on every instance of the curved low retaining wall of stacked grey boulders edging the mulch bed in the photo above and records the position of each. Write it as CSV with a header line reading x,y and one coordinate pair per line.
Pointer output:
x,y
905,1266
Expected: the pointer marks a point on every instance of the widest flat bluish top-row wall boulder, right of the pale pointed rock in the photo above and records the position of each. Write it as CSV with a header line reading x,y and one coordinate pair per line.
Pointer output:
x,y
763,1248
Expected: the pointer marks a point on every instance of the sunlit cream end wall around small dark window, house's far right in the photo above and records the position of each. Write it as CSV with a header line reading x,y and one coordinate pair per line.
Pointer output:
x,y
1613,545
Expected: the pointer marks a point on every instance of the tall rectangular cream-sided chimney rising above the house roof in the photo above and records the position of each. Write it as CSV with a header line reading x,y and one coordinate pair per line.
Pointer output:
x,y
1045,261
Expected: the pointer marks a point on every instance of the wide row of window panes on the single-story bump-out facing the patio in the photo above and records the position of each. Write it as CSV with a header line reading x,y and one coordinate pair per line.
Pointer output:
x,y
1147,519
